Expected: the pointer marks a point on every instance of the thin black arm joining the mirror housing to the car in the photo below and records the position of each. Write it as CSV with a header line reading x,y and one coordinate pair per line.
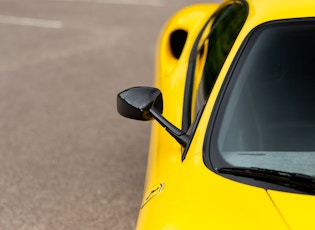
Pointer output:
x,y
178,134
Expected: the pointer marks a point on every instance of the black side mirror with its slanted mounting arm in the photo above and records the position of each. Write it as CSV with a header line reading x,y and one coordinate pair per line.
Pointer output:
x,y
146,103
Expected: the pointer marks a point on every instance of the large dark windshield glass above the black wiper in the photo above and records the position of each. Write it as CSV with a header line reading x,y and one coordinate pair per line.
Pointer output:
x,y
267,116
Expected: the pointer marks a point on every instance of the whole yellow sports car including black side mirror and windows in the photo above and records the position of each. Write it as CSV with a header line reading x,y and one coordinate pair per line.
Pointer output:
x,y
235,146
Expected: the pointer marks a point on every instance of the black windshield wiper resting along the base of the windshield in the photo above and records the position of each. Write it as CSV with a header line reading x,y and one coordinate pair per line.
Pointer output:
x,y
297,181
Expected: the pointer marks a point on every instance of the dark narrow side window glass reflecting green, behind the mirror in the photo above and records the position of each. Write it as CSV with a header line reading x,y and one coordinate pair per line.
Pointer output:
x,y
217,45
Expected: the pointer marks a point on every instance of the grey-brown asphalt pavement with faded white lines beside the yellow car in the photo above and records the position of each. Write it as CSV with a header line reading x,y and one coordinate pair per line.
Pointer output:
x,y
67,159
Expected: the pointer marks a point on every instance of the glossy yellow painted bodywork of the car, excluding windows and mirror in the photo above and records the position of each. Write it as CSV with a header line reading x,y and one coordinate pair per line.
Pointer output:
x,y
181,192
